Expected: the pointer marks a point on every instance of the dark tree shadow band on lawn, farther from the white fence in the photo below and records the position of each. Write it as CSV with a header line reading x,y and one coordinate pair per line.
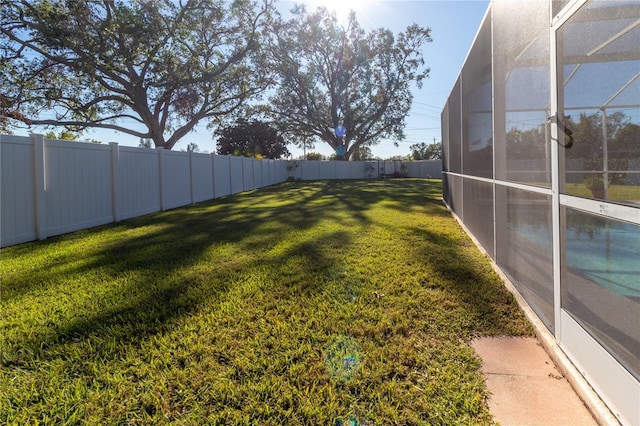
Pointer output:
x,y
158,301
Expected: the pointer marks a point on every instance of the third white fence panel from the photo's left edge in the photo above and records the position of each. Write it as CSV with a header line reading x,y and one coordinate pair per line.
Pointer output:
x,y
138,182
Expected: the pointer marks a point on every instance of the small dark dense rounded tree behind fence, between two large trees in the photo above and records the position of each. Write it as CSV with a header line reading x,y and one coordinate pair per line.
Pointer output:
x,y
251,139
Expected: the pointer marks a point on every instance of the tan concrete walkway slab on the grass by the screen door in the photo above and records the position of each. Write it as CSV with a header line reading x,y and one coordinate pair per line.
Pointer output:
x,y
526,387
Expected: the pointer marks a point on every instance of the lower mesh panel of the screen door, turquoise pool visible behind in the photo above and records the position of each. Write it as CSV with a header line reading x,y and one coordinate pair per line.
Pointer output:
x,y
600,284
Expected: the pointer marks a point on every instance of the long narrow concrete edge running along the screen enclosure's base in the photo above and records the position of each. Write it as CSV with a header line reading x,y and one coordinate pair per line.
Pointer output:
x,y
600,411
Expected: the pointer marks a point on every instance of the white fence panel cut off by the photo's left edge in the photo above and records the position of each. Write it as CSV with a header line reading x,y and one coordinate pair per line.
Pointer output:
x,y
17,190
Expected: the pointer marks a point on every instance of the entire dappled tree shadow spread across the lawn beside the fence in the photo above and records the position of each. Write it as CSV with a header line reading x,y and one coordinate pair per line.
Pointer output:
x,y
154,248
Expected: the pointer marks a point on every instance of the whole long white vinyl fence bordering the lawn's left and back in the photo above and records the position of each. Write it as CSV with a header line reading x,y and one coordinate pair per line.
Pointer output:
x,y
50,187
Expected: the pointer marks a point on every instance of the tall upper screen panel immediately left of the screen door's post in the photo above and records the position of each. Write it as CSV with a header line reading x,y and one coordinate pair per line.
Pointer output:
x,y
522,100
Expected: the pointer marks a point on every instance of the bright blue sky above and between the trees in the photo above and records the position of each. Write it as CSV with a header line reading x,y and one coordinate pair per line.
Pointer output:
x,y
453,25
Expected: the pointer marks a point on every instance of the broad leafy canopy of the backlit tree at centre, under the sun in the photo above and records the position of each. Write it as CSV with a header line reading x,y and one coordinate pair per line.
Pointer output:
x,y
332,75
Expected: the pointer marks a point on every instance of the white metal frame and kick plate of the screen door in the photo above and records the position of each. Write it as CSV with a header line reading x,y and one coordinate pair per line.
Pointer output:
x,y
613,383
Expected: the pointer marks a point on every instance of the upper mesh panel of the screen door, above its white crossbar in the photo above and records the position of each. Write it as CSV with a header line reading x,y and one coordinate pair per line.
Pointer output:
x,y
599,93
